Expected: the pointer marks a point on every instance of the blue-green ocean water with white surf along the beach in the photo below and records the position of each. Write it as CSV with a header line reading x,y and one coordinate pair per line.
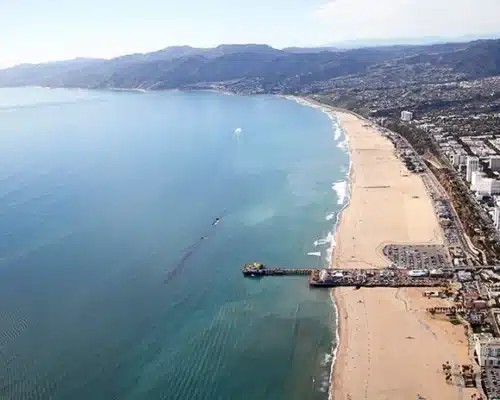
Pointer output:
x,y
115,283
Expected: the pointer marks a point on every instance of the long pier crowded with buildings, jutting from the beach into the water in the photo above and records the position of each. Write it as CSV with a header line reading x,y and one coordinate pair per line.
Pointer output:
x,y
386,277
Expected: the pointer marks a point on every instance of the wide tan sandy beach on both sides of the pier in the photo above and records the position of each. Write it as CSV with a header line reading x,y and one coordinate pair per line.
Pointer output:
x,y
389,347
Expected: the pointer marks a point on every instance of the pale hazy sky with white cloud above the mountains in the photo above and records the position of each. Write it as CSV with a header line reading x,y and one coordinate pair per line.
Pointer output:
x,y
43,30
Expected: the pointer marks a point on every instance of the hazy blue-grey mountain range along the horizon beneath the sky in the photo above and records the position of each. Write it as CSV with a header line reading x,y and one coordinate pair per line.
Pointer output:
x,y
256,68
